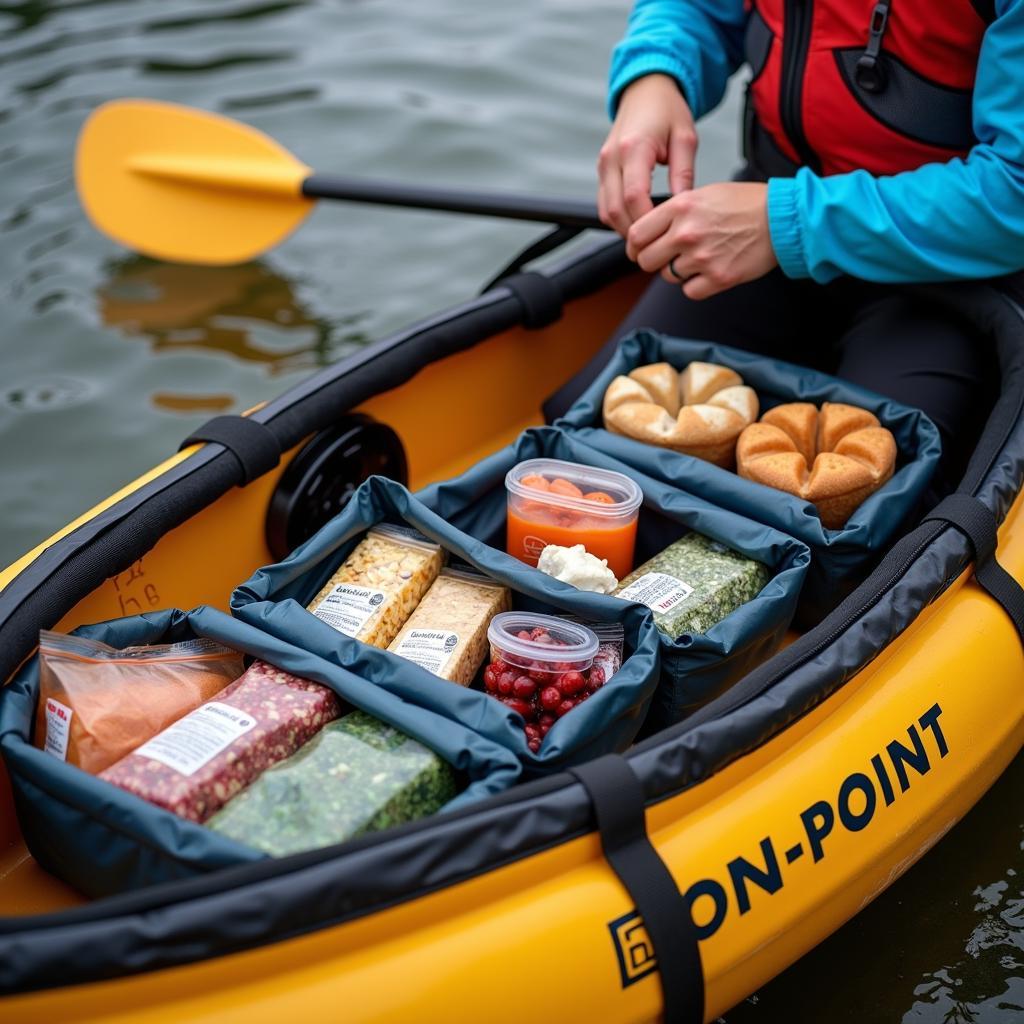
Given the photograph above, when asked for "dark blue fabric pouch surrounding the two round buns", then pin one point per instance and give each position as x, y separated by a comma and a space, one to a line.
840, 559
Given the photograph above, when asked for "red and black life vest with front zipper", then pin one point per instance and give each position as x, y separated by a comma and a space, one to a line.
846, 84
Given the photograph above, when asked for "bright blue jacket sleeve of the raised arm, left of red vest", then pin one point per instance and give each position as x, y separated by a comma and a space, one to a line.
698, 42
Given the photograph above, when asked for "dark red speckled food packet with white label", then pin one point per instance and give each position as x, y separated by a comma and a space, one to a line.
197, 765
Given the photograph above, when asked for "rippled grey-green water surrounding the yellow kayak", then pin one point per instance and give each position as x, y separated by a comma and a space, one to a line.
108, 360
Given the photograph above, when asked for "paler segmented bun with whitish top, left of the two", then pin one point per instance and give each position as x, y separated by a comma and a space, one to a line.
700, 412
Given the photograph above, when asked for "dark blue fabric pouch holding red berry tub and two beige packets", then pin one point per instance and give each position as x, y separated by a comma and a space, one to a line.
276, 600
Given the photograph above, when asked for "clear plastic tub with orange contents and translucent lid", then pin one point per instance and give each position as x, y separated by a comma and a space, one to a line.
566, 503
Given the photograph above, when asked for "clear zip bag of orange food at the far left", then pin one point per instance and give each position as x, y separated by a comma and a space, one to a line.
97, 703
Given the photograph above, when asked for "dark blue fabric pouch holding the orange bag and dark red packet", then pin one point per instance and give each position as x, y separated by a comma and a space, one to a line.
103, 839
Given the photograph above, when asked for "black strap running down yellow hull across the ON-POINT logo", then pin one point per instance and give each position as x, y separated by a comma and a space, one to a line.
618, 798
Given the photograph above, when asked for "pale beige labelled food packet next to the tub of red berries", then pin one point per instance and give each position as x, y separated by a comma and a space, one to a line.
448, 632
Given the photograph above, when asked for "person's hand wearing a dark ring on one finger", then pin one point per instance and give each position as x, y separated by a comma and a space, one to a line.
708, 239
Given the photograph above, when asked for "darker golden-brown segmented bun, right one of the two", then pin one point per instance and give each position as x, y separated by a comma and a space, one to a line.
835, 459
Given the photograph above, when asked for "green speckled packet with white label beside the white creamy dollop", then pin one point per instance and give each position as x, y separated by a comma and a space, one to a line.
694, 584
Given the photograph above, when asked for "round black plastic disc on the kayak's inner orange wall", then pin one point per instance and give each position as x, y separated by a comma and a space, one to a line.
324, 476
